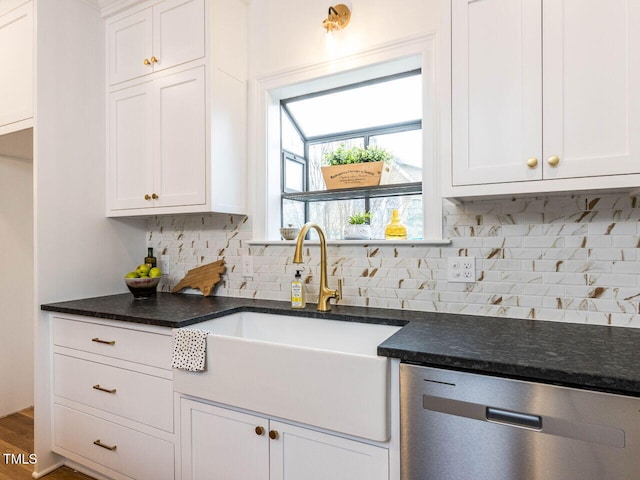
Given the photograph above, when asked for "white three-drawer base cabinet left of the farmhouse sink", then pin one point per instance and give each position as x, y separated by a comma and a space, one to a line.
113, 401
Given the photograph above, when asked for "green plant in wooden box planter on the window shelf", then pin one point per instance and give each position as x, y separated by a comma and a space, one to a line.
347, 167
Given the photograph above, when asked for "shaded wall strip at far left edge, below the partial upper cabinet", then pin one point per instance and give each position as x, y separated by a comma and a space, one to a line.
16, 284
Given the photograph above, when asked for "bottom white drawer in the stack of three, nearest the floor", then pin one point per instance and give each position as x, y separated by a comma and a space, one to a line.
130, 453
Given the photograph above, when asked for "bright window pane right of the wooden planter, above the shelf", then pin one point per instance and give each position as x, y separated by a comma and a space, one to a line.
406, 148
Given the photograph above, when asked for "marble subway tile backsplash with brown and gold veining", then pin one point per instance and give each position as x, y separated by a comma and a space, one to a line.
571, 258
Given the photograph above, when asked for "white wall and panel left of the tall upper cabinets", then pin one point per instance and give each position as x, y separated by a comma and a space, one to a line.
78, 251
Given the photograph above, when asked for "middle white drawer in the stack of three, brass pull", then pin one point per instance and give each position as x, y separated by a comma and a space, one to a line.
136, 396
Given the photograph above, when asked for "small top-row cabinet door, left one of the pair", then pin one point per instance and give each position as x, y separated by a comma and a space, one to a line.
129, 43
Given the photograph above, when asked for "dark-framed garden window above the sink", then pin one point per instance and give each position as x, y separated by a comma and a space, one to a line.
384, 112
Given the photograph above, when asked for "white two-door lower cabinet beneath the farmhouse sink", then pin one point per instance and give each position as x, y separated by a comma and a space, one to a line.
223, 444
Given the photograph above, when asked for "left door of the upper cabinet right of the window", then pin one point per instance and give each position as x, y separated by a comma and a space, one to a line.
497, 90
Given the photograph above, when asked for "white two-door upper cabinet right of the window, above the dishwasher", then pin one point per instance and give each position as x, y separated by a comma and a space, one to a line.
543, 97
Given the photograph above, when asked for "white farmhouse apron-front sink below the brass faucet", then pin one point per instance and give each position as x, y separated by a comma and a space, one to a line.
315, 371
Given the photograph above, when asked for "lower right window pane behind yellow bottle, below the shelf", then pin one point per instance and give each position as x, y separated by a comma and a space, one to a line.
409, 208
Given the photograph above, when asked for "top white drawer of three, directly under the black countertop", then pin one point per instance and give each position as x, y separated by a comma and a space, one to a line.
132, 345
